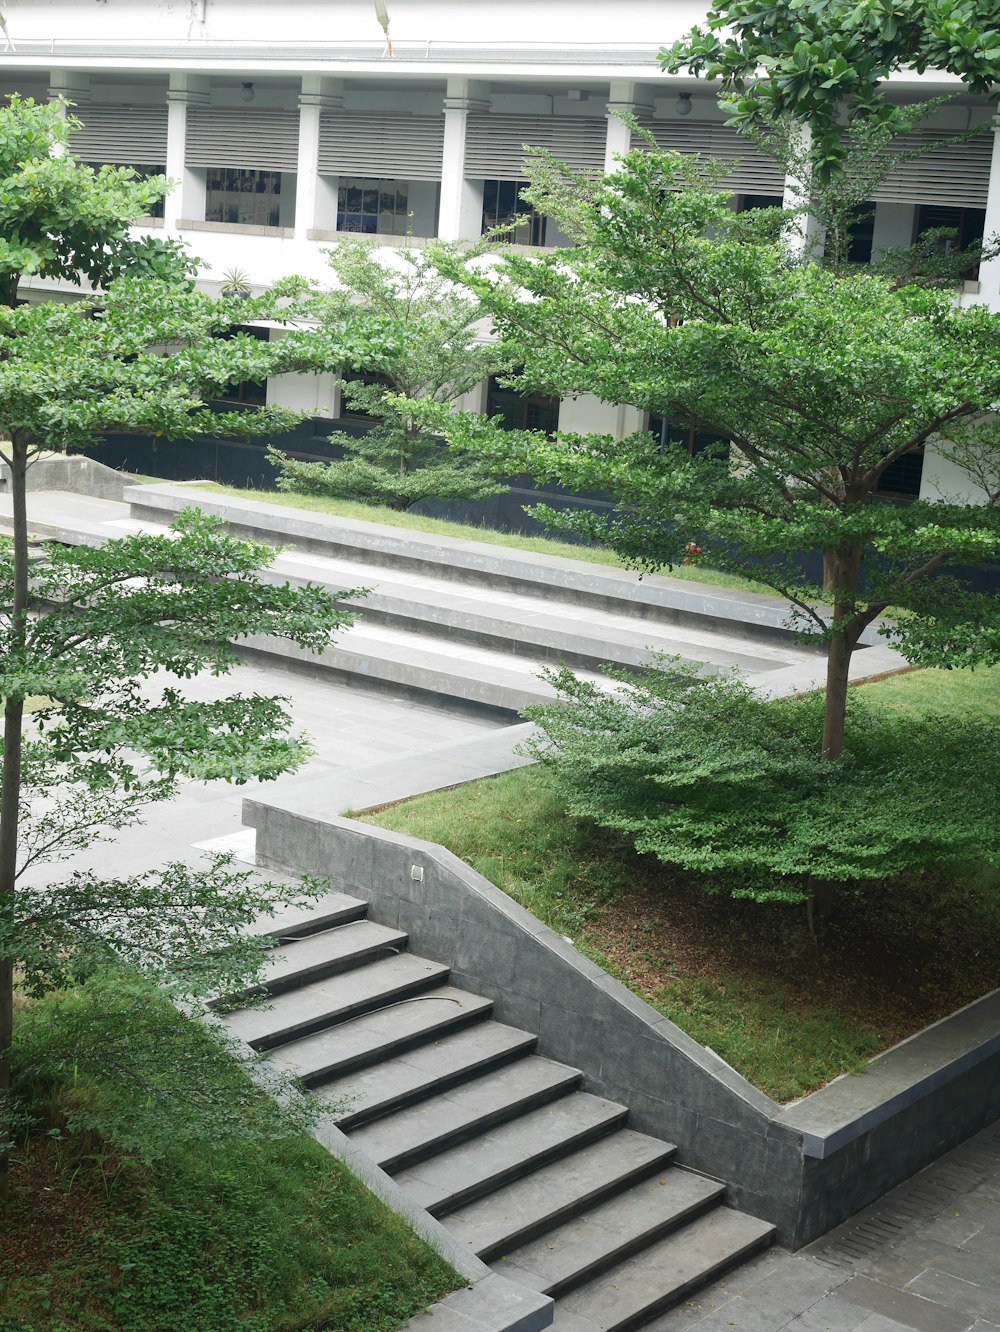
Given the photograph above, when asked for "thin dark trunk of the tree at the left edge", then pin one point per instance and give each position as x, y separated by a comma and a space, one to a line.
10, 800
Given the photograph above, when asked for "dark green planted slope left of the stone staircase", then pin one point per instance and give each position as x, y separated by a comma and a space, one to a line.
183, 1202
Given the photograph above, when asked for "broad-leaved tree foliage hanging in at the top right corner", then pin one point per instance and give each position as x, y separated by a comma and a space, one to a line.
808, 59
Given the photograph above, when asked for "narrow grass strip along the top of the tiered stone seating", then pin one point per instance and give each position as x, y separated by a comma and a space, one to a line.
468, 532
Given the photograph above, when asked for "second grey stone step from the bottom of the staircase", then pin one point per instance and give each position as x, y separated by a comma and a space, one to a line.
588, 1246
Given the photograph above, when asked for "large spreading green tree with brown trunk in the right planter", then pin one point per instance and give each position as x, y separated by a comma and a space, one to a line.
814, 384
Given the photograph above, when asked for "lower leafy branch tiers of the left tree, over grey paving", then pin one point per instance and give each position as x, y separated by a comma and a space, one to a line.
101, 747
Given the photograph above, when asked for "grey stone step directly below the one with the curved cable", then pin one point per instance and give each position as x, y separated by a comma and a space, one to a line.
411, 1077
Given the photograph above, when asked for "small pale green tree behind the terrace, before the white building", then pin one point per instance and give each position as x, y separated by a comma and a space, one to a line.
432, 347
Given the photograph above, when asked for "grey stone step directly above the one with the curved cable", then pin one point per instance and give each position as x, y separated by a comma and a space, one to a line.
298, 1013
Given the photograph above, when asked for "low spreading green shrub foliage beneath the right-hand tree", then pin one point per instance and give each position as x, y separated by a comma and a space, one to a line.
713, 779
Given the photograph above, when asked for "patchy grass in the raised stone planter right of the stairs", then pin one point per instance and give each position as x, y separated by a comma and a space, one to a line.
740, 977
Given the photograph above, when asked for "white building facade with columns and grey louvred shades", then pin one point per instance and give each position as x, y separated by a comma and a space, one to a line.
286, 127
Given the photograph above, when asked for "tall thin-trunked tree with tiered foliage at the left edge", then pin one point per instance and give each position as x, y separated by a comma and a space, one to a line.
79, 631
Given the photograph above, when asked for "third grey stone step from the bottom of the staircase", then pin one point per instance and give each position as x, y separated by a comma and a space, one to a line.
529, 1207
